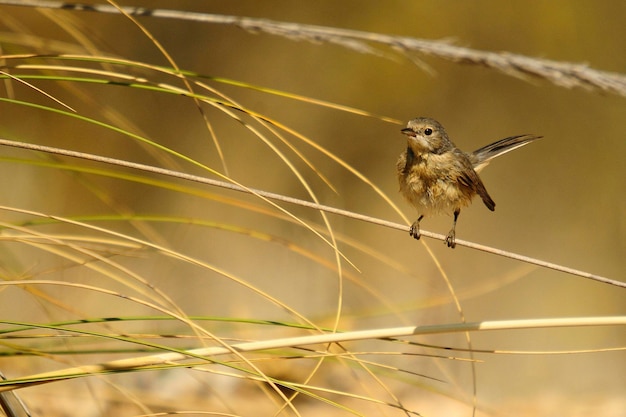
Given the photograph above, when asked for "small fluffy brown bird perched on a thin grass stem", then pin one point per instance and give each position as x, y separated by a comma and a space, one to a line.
435, 176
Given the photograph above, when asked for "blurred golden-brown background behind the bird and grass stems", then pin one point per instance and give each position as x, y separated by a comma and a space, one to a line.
559, 199
